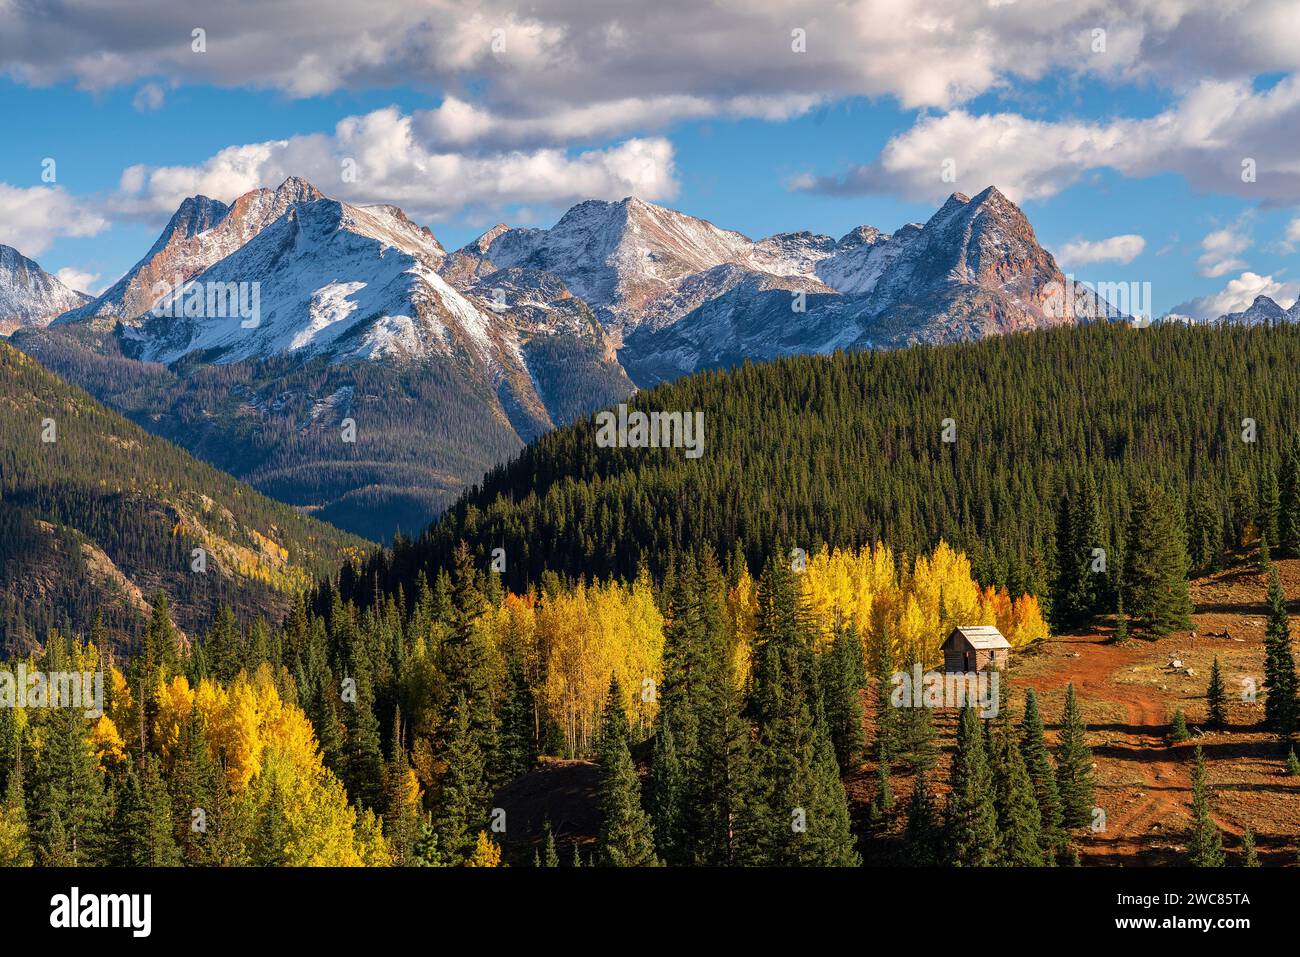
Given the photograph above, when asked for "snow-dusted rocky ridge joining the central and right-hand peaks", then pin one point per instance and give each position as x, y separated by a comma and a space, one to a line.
682, 295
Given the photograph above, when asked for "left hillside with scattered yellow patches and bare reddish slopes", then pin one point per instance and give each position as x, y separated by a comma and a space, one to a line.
98, 516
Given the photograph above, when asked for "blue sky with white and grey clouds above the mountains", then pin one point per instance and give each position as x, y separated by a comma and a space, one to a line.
1126, 159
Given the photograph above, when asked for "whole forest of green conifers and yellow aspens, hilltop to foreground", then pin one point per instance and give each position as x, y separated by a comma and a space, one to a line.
714, 640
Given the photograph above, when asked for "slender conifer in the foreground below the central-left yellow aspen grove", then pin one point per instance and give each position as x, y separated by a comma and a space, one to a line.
627, 837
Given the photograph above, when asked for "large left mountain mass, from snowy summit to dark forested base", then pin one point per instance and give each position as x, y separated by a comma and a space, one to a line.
311, 348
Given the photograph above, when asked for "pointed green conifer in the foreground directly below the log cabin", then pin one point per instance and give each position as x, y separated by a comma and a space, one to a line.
972, 837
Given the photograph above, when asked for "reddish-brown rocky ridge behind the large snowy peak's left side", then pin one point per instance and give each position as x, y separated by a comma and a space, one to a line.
201, 233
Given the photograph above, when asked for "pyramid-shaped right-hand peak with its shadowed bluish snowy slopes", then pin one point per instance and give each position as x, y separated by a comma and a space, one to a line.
973, 270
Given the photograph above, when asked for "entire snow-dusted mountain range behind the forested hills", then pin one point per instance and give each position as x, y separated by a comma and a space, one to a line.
252, 334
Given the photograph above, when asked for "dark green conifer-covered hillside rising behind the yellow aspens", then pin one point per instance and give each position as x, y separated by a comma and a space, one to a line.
851, 449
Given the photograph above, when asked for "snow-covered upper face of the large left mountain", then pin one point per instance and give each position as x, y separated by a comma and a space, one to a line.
358, 283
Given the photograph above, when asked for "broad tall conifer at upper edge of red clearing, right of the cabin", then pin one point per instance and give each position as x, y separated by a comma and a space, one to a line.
1155, 573
